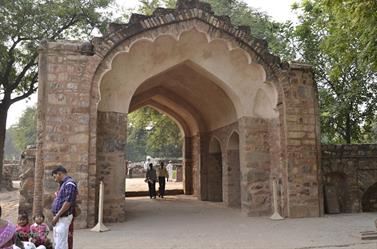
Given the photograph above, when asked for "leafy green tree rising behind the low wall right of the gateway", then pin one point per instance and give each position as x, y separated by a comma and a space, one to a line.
332, 43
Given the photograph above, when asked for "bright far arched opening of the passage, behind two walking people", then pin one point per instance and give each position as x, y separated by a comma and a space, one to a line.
153, 136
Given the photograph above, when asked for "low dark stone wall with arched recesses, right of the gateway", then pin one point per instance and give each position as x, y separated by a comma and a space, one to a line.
350, 178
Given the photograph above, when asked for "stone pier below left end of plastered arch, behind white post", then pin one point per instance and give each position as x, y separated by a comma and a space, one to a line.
111, 139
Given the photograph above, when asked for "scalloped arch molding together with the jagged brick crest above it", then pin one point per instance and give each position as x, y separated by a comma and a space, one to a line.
189, 15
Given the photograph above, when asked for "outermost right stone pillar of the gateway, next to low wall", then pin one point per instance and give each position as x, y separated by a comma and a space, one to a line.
302, 136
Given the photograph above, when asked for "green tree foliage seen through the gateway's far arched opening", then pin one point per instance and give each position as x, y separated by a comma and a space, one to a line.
151, 133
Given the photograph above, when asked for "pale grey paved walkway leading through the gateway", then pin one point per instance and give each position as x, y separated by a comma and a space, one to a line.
182, 222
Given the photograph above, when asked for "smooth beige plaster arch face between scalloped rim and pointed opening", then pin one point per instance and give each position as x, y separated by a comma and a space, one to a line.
144, 59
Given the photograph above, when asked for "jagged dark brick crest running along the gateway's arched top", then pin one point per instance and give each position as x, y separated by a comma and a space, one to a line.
217, 27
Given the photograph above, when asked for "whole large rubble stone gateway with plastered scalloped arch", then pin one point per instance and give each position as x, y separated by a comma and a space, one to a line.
247, 118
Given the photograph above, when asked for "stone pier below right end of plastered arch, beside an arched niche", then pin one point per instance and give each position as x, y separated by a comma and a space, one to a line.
255, 162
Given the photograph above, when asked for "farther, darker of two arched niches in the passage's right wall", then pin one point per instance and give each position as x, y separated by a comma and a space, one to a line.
214, 171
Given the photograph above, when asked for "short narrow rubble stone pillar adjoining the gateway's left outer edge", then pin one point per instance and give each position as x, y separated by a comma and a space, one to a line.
27, 180
